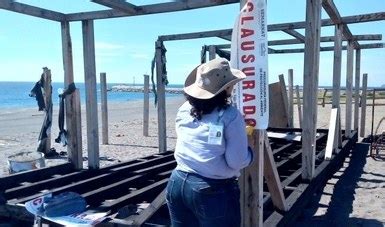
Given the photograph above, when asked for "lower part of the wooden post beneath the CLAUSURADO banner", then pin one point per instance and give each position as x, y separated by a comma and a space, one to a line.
251, 183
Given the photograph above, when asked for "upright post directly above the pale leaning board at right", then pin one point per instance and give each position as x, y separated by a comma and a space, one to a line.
337, 66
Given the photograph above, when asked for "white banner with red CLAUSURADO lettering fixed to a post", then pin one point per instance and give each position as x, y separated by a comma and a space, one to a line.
249, 52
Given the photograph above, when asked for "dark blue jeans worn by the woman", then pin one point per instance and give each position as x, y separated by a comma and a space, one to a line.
195, 201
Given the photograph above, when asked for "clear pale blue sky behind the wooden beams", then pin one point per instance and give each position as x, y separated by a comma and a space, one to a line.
124, 47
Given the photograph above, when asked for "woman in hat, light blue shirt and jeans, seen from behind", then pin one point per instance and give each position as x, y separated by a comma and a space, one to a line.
211, 150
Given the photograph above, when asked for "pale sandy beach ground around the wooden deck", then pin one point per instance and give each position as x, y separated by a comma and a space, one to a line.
356, 192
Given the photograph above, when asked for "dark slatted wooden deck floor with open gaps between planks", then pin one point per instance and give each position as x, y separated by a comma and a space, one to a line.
115, 187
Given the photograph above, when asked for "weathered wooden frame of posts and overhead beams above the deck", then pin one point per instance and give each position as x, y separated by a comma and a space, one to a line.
311, 41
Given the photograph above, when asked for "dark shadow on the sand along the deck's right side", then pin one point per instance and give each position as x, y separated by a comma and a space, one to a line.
341, 201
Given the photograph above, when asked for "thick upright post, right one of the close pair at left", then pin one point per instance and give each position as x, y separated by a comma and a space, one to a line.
91, 99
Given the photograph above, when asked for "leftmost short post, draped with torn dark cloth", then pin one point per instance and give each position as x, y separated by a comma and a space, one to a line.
48, 103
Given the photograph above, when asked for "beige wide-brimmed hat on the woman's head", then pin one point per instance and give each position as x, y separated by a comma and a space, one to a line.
209, 79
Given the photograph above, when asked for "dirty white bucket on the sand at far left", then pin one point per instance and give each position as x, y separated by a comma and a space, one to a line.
25, 161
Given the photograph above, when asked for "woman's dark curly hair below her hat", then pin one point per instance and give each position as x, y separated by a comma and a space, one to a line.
206, 106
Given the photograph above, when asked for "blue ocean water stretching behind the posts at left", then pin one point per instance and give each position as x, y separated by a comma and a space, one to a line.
16, 94
